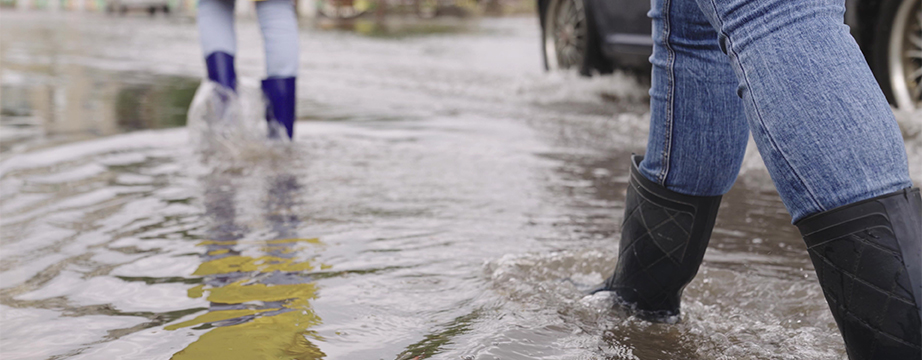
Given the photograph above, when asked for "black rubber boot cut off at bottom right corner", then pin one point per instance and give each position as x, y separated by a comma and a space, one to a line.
868, 258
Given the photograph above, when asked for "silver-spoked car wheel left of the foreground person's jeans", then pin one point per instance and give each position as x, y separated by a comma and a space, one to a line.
571, 39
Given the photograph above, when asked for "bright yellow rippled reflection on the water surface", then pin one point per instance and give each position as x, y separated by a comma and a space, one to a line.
256, 318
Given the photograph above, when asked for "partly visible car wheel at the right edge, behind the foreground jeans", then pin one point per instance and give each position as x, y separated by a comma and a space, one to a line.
898, 52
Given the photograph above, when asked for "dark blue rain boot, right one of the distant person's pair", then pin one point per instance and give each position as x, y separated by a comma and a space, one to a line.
280, 110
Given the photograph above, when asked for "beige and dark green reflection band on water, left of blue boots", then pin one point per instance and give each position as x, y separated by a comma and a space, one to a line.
84, 102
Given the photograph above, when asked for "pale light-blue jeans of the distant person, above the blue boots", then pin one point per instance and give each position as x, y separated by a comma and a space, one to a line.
278, 23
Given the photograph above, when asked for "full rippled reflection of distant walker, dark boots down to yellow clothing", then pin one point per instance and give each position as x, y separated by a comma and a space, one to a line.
258, 290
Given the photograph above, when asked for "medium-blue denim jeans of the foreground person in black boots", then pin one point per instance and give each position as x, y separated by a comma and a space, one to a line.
789, 71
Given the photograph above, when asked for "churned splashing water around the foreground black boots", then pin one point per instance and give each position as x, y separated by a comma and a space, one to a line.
726, 314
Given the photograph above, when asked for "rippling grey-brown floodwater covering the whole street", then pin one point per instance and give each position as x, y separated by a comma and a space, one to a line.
444, 199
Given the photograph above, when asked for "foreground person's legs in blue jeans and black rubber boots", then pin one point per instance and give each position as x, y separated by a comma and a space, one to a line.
789, 72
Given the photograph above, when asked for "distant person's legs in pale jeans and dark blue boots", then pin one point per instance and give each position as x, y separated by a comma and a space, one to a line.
278, 22
